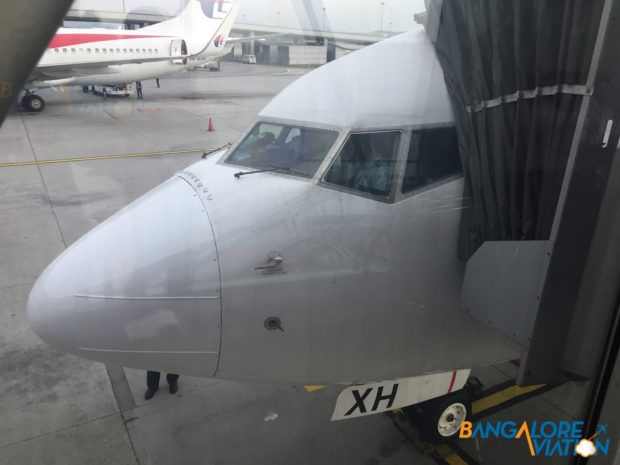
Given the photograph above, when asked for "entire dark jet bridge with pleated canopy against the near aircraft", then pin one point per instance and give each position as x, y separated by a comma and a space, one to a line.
534, 90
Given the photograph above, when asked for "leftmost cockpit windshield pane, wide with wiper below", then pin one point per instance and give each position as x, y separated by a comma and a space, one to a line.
295, 148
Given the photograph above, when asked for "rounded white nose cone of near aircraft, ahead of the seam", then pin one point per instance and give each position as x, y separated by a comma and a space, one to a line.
140, 290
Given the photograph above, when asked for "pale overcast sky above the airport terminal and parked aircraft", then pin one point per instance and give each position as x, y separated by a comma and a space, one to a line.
336, 15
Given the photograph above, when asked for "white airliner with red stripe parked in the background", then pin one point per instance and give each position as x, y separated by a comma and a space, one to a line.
108, 57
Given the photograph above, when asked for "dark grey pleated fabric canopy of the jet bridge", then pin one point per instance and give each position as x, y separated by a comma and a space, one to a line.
517, 74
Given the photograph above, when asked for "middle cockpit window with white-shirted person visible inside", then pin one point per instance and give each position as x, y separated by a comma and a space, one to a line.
366, 163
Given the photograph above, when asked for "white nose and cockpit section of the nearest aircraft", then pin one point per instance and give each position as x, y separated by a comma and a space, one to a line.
321, 248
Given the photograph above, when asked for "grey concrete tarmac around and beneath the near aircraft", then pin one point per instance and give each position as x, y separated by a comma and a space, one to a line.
59, 409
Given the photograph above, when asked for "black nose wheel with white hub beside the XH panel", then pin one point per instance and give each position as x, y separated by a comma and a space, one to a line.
439, 420
